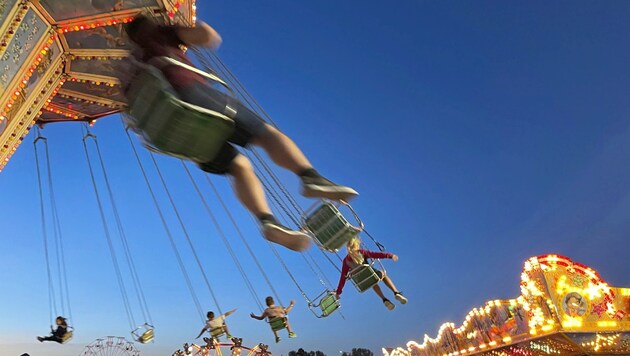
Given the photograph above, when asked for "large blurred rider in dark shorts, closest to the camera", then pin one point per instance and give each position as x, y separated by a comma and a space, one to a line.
156, 41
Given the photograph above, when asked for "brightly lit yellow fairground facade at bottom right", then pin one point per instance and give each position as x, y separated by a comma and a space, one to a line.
565, 308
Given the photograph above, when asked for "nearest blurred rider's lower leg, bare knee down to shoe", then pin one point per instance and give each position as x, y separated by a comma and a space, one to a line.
250, 192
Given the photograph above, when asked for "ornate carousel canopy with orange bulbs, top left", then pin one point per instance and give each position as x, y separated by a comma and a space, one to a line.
60, 60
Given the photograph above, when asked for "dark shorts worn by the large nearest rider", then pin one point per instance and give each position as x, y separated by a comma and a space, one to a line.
248, 124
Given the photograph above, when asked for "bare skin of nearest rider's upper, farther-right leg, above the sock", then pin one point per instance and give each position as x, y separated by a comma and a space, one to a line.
282, 150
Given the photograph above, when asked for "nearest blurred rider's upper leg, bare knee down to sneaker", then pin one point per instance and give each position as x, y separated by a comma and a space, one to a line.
285, 153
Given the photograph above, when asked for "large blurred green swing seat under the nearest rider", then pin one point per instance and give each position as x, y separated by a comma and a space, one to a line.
171, 126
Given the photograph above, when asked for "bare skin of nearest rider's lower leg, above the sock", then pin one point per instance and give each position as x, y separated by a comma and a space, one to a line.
248, 187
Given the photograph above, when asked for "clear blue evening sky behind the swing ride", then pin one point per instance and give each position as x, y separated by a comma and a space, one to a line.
478, 133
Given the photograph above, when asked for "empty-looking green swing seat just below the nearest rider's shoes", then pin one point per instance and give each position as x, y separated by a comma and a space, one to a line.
329, 227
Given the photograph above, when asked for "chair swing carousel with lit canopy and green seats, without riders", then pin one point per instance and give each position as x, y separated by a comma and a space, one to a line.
77, 53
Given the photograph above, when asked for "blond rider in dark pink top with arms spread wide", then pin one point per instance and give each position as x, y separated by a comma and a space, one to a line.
357, 257
